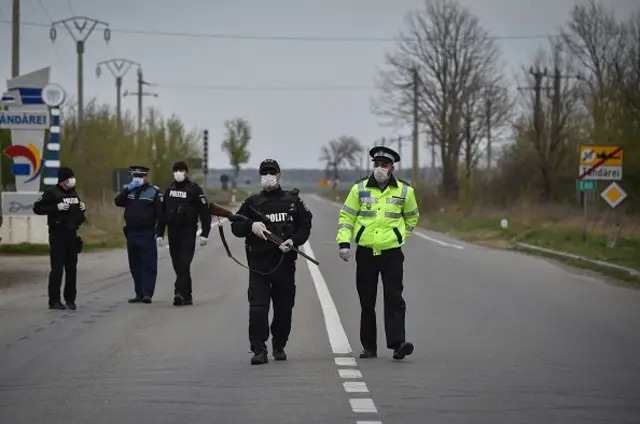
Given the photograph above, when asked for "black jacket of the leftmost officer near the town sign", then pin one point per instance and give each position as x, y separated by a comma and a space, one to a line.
71, 219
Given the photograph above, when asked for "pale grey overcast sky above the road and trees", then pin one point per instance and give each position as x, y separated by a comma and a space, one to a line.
290, 126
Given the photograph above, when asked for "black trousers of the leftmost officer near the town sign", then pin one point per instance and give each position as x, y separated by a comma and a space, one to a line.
63, 254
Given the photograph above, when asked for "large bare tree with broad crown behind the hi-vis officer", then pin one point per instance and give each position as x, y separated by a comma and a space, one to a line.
453, 54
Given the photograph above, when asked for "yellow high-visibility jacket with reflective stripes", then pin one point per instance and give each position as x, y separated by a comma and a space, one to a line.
378, 219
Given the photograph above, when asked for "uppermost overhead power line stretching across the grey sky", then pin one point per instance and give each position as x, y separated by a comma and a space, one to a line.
275, 38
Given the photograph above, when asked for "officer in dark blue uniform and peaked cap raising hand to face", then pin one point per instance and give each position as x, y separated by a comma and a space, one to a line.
143, 210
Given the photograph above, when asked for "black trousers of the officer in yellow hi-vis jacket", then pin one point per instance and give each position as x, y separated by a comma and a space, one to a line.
390, 265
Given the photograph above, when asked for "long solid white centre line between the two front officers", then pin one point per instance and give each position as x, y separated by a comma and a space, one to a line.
335, 330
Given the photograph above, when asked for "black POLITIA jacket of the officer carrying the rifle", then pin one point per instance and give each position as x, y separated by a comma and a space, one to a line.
283, 213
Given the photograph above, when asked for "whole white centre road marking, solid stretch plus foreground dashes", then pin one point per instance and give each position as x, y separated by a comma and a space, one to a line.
340, 343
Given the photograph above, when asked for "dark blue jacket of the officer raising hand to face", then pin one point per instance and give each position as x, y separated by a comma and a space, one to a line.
143, 207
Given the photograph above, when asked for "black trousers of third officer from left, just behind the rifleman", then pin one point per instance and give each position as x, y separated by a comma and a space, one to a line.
182, 247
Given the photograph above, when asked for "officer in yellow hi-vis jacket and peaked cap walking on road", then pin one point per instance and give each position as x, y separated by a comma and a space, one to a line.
380, 213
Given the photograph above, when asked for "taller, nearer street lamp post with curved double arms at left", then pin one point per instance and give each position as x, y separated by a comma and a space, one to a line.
80, 28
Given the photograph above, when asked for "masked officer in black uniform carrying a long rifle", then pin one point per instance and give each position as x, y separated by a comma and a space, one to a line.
272, 274
